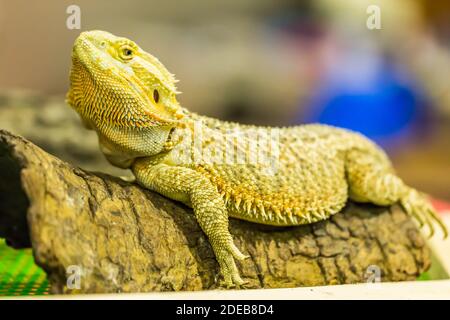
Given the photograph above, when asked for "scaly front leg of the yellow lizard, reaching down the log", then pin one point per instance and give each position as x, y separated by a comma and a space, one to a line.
190, 187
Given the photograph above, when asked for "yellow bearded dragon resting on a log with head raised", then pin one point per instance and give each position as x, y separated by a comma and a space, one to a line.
309, 172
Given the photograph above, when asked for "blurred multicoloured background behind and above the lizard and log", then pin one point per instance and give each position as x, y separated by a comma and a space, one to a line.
254, 61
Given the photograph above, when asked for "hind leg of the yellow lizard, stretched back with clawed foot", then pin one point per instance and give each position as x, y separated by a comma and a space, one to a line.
371, 180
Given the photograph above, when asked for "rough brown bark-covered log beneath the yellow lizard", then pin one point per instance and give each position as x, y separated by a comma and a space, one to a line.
127, 239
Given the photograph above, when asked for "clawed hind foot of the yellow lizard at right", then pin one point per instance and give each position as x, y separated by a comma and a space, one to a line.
418, 206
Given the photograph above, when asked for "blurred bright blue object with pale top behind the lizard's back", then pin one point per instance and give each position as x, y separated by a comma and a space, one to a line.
367, 95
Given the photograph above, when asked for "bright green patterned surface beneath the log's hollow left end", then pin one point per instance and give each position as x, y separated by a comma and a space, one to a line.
19, 275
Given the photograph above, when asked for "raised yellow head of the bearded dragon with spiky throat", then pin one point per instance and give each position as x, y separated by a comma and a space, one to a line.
113, 82
